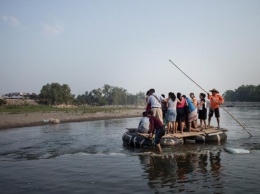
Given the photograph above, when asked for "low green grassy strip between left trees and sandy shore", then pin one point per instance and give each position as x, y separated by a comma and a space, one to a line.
12, 109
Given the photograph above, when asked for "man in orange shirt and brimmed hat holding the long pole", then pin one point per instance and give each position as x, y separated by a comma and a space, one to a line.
215, 100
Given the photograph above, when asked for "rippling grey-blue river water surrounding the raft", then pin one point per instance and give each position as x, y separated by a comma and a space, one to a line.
89, 157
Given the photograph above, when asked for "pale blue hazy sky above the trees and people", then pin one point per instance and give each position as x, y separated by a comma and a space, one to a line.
128, 43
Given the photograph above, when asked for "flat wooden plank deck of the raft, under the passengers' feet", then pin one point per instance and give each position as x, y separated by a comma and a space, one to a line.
189, 134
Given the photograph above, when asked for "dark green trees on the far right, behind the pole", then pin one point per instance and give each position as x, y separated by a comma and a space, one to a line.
248, 93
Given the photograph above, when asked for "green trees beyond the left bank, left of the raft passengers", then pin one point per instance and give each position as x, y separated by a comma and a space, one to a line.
55, 94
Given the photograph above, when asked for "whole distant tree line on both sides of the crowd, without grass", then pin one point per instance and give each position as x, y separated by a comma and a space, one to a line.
55, 94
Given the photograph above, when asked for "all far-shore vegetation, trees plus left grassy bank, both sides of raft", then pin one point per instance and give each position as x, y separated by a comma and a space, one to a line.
57, 97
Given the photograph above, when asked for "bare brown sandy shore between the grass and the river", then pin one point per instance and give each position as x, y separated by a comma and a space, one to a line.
38, 118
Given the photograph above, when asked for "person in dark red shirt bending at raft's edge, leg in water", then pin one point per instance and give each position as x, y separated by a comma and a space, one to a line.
157, 127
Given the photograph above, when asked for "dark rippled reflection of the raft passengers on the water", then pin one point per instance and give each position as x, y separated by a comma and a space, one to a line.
184, 172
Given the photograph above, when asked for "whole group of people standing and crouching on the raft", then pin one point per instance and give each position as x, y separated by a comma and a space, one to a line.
178, 112
